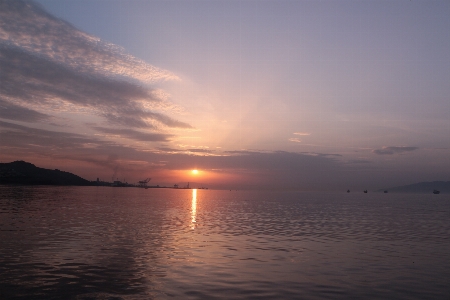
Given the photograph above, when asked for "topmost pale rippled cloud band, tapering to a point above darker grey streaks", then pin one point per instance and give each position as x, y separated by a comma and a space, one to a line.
27, 25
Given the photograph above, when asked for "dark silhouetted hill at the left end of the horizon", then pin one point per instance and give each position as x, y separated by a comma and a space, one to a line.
21, 172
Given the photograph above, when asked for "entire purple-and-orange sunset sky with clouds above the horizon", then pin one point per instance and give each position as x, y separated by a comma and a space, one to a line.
254, 94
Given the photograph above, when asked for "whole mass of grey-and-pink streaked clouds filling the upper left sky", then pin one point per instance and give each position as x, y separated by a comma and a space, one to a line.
48, 64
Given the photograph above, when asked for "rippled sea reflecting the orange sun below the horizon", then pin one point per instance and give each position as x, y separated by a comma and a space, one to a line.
134, 243
